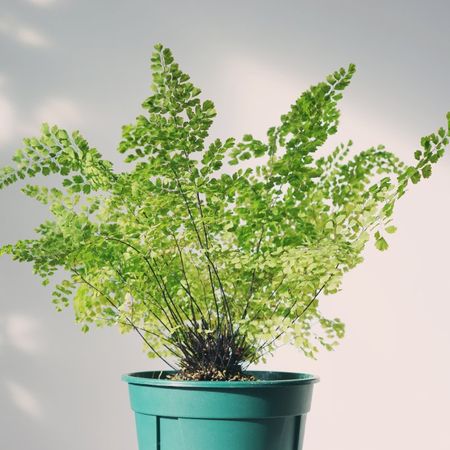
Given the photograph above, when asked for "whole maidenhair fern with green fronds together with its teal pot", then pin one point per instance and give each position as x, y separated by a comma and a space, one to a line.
213, 252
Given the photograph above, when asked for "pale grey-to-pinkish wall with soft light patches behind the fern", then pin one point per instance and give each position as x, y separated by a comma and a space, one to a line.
84, 64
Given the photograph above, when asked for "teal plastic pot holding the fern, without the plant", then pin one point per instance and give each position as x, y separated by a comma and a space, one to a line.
267, 414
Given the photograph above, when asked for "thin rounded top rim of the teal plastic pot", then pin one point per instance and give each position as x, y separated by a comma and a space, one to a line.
265, 379
